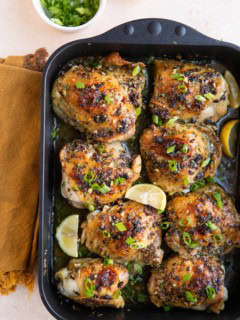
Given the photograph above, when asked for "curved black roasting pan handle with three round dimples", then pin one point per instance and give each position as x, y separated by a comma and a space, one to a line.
155, 31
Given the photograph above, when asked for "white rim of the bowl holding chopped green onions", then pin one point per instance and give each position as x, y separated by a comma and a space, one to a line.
38, 7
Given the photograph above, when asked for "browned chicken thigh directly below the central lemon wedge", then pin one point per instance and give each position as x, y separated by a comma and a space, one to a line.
125, 232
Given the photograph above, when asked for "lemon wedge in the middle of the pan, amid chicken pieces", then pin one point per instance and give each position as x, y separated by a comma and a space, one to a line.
148, 194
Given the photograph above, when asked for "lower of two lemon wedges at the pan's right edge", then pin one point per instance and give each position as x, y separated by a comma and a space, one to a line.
228, 137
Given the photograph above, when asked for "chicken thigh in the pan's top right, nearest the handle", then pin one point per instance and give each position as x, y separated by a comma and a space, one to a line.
188, 90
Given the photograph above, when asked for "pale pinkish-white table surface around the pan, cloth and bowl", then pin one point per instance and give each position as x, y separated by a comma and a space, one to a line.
22, 31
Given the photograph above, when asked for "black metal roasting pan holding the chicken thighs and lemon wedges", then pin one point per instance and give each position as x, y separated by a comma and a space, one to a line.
157, 37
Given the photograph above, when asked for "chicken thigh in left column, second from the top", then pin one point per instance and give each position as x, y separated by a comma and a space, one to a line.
97, 174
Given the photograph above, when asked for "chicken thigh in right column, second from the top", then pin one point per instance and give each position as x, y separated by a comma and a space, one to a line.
179, 154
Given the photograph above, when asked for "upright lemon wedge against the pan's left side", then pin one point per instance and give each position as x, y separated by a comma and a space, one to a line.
67, 235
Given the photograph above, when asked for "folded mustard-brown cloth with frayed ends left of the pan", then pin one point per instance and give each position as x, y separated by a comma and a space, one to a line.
20, 79
